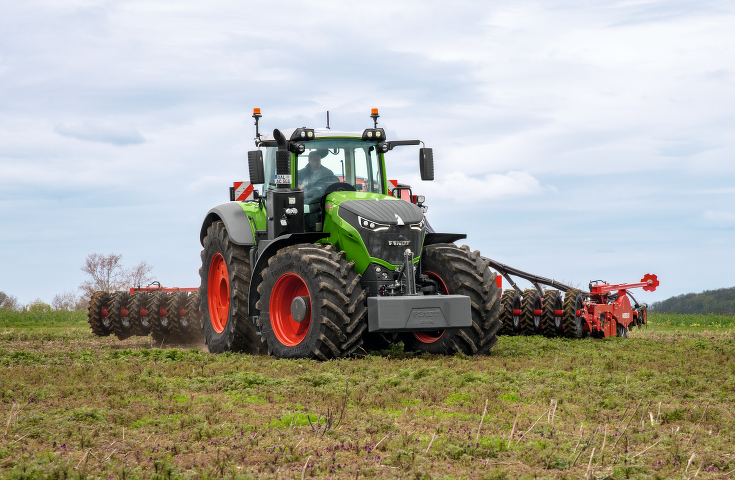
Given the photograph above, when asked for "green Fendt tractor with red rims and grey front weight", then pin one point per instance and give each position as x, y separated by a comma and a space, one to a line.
326, 260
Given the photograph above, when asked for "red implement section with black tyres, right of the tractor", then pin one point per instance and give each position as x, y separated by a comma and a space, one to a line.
604, 311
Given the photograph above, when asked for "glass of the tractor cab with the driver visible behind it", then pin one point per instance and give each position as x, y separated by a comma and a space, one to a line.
331, 161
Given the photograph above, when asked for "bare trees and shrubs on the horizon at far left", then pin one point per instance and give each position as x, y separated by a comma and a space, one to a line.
103, 273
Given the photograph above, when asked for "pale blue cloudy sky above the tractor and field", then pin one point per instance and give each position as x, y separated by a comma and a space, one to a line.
575, 140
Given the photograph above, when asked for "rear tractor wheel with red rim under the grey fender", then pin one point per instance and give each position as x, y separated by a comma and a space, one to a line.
223, 295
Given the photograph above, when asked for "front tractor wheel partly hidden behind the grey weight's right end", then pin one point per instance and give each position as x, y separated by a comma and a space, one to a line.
461, 272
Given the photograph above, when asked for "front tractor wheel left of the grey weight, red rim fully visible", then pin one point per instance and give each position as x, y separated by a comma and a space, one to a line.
334, 316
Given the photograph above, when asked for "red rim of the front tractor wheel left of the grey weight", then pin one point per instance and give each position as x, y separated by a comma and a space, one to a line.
287, 330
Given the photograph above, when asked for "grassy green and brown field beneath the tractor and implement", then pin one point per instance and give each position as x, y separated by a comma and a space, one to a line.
659, 404
